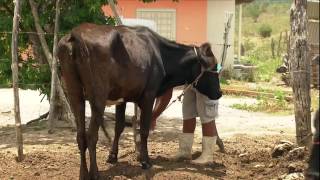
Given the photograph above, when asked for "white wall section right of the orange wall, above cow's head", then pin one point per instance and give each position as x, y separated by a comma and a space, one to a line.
216, 18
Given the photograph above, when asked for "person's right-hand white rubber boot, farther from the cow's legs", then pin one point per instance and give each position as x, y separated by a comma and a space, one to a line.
207, 151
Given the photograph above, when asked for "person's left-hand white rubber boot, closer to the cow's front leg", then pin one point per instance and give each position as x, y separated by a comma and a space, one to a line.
185, 147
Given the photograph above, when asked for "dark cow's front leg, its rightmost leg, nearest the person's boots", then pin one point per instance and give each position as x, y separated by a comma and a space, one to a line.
146, 113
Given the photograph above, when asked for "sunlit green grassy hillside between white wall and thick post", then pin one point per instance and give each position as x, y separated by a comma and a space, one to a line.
257, 49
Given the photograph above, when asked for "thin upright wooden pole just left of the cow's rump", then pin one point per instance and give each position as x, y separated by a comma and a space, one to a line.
54, 76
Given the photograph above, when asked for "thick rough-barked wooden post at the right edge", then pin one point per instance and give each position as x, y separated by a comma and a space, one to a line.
300, 71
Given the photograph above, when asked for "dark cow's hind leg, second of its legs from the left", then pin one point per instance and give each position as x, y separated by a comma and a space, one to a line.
97, 109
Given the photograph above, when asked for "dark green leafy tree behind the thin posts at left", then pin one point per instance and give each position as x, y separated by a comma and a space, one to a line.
38, 16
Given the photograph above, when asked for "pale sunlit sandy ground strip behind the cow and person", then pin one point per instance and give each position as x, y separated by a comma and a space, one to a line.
230, 121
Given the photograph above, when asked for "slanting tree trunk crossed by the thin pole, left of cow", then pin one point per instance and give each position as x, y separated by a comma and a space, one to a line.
66, 113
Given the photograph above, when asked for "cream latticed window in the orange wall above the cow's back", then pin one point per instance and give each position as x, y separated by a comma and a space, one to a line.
165, 20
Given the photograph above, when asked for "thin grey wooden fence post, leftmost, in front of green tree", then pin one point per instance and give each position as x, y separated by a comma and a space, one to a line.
14, 67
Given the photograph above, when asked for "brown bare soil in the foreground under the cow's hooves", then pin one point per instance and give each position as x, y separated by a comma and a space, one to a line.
56, 156
